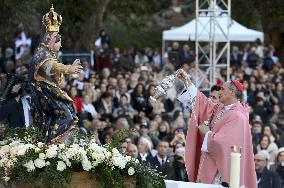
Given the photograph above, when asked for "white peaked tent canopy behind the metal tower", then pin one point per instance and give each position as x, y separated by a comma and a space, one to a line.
237, 32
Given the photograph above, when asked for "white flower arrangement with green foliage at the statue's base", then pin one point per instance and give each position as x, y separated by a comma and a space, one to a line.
23, 160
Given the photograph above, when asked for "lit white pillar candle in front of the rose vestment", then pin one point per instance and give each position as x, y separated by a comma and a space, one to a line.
235, 168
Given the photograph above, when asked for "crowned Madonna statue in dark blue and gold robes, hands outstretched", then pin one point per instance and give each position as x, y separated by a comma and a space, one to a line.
51, 109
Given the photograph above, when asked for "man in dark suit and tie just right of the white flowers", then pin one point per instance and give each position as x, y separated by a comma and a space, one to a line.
162, 162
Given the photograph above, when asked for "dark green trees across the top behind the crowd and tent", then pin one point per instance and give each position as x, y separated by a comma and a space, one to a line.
126, 20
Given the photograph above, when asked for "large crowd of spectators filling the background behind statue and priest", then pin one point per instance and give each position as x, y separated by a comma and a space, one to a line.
114, 94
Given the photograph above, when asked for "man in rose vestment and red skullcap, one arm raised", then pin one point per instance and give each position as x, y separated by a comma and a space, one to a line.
213, 129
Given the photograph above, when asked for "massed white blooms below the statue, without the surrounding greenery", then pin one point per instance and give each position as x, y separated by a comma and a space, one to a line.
65, 154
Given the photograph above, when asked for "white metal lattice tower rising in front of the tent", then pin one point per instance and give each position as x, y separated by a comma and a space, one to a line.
212, 52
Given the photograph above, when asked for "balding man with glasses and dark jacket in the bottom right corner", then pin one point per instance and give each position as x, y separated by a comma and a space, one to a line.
265, 177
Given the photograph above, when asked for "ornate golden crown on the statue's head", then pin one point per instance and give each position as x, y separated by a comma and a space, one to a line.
52, 20
